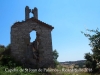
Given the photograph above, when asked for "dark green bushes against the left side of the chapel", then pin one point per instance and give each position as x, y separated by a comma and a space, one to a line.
7, 60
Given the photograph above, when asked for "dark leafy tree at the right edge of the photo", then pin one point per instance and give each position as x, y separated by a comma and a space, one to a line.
93, 59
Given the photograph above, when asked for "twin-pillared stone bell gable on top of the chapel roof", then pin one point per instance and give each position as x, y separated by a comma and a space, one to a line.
28, 11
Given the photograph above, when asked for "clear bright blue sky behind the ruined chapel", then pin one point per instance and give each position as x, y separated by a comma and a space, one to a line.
68, 17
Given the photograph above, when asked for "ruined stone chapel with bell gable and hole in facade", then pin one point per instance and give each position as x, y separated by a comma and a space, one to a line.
36, 53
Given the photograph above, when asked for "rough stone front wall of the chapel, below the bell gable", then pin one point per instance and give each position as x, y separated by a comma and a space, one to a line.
20, 37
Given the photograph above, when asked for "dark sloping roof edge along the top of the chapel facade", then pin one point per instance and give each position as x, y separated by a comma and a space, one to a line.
34, 20
